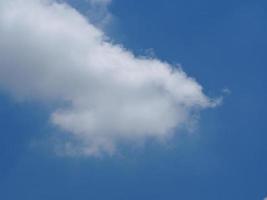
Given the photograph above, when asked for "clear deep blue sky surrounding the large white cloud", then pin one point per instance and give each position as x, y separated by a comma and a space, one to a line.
222, 44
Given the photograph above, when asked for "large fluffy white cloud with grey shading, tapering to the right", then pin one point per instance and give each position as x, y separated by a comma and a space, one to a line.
50, 52
